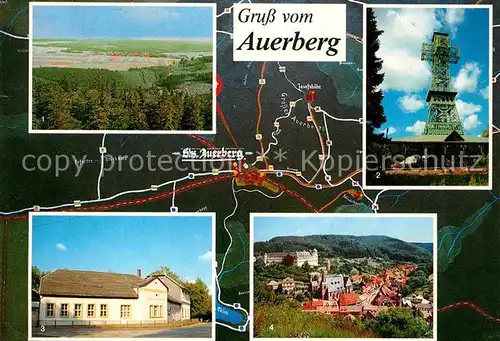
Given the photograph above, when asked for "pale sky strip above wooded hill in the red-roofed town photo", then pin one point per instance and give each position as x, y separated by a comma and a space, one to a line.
407, 229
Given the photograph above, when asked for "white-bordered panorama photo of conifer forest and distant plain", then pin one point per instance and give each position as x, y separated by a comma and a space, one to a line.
122, 68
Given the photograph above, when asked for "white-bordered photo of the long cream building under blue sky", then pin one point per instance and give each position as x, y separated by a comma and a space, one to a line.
121, 275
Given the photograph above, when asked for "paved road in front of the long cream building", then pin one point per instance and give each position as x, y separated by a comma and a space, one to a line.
201, 330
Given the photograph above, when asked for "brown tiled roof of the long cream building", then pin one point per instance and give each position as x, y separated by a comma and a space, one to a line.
77, 283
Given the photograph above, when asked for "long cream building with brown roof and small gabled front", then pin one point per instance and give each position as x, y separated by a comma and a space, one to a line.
86, 297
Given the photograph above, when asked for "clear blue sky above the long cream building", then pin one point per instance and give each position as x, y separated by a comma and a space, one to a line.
124, 244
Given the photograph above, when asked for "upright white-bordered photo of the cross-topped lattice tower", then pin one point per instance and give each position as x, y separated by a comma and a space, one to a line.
427, 103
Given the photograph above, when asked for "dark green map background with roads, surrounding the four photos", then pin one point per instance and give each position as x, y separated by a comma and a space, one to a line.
470, 276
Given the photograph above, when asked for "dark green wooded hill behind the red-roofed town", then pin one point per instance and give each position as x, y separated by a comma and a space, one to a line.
330, 246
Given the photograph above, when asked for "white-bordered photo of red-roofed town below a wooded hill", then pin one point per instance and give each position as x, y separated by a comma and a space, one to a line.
344, 276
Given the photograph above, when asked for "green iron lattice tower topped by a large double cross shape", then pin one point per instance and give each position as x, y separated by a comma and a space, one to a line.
442, 115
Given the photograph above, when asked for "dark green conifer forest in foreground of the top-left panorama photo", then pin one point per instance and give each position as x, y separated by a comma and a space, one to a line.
138, 99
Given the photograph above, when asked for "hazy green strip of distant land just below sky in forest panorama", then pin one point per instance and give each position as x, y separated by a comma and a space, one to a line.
160, 47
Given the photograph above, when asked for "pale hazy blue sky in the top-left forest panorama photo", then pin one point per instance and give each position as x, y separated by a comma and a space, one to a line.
121, 22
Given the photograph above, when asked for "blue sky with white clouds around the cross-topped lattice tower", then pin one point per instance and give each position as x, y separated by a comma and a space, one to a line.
407, 78
